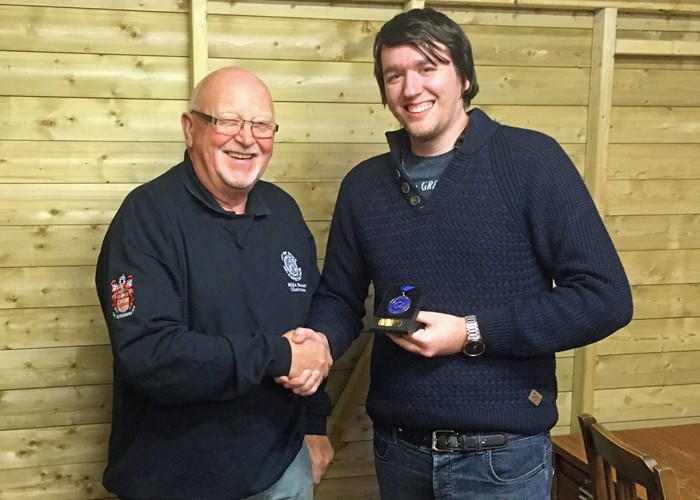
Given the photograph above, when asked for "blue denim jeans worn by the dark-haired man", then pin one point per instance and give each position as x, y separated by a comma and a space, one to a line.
522, 470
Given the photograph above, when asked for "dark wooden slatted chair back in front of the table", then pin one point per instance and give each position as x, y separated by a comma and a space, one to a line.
605, 452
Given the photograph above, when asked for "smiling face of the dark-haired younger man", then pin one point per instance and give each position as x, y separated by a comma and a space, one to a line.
425, 97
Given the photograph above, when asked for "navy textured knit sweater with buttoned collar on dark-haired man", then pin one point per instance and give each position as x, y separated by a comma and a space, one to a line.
509, 216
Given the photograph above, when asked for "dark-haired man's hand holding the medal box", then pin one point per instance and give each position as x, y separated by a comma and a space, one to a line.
443, 334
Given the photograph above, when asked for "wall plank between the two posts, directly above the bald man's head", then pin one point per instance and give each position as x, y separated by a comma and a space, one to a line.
340, 40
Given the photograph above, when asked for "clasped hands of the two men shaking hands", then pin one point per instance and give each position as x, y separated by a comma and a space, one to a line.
311, 360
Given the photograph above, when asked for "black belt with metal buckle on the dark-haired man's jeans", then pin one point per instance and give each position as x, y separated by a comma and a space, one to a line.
452, 441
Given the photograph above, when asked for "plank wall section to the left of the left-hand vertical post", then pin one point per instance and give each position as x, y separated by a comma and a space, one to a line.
91, 101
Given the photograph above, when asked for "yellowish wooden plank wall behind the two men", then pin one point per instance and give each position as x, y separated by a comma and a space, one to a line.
92, 92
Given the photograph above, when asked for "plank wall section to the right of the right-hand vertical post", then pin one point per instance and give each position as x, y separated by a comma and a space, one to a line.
648, 374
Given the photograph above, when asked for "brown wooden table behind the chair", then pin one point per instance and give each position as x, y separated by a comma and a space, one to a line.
677, 447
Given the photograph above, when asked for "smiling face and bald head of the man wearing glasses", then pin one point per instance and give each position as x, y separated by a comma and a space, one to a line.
229, 166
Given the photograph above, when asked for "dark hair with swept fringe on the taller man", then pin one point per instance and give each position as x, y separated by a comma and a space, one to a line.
424, 29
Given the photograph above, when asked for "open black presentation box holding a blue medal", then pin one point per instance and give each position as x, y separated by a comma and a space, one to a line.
398, 310
